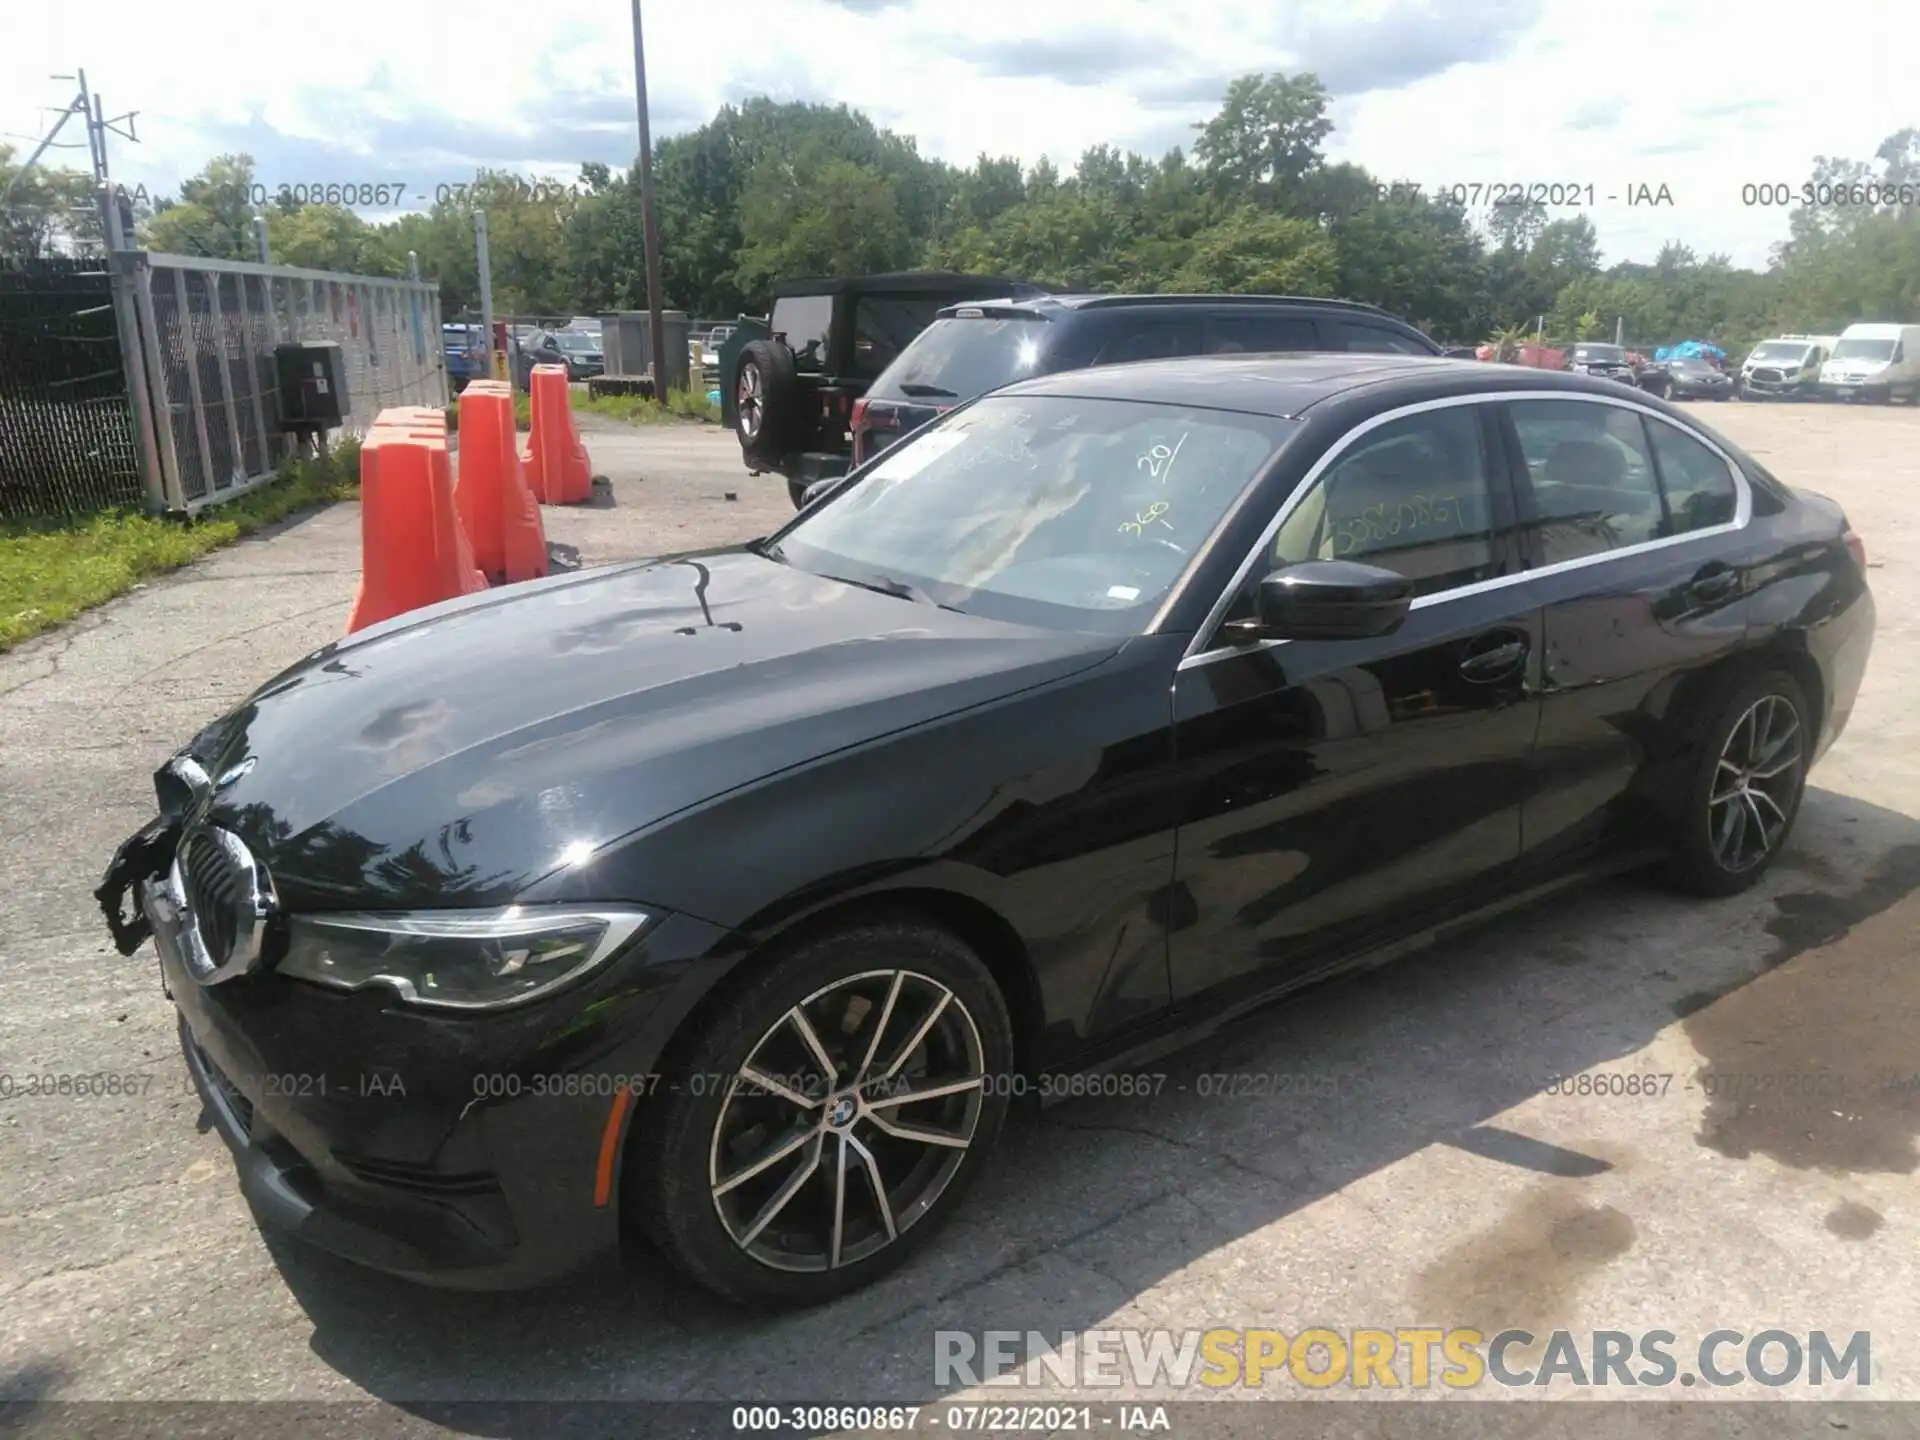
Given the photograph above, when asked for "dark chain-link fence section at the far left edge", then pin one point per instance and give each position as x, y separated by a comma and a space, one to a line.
66, 429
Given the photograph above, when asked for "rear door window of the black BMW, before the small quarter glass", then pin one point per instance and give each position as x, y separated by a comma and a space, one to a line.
1591, 475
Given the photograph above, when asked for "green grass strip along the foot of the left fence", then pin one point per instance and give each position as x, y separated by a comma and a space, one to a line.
55, 569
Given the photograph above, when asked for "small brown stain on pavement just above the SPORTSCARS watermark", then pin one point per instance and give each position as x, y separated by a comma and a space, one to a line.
1527, 1270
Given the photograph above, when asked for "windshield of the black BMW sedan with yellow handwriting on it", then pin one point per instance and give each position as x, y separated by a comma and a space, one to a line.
1040, 510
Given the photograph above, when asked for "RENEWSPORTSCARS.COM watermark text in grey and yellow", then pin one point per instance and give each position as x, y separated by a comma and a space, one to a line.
1403, 1358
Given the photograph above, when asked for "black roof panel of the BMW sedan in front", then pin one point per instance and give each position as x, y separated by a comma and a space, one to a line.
1289, 385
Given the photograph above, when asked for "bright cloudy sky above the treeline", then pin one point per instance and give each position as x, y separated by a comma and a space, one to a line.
1700, 99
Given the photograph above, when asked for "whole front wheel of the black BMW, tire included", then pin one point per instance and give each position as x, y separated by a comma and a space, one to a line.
828, 1118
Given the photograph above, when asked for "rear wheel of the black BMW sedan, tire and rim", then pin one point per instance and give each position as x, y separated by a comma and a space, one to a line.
1746, 788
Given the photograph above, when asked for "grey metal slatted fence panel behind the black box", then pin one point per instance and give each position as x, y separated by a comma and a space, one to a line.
210, 329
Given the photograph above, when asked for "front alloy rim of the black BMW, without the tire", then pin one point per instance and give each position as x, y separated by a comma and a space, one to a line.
848, 1120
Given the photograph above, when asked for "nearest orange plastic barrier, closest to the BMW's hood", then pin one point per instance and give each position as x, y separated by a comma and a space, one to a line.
414, 550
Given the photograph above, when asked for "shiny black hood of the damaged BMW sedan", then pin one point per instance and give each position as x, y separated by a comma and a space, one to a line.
462, 754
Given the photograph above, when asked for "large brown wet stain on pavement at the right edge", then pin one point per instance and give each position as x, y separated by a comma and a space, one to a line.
1817, 1061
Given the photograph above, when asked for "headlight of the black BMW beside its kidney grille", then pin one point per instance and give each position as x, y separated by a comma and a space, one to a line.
458, 959
